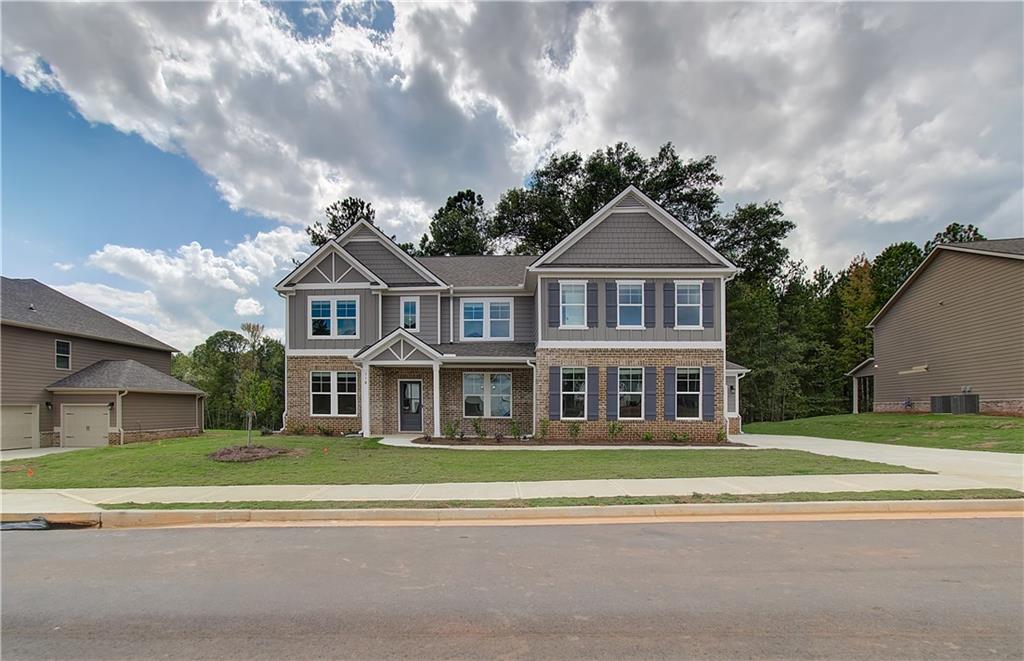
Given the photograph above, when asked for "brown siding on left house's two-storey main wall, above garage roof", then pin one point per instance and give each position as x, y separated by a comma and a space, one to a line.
28, 367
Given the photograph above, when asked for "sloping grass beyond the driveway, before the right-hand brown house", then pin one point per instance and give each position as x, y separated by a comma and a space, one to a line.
994, 433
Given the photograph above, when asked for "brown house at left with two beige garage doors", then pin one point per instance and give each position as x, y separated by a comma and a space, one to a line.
71, 376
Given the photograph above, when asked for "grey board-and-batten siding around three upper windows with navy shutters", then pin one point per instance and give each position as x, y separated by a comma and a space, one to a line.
604, 333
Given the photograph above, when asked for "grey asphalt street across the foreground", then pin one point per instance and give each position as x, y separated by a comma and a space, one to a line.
848, 590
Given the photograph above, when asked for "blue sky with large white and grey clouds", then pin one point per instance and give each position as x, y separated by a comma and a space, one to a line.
160, 161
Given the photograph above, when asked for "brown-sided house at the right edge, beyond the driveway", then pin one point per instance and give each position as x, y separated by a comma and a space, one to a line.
957, 326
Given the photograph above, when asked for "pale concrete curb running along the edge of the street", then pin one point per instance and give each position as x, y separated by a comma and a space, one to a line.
158, 518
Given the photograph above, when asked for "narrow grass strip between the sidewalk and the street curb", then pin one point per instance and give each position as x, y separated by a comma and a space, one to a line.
796, 497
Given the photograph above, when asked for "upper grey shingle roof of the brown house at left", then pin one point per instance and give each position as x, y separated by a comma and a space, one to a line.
29, 303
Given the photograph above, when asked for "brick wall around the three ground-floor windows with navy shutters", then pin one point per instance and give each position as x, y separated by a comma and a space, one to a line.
703, 431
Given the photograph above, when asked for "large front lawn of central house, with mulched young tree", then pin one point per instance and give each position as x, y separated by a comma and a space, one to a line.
354, 461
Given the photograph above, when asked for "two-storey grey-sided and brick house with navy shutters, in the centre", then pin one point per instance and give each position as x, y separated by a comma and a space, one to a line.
623, 321
